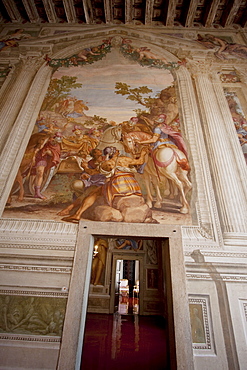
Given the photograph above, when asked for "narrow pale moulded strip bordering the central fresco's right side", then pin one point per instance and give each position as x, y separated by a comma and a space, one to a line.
208, 229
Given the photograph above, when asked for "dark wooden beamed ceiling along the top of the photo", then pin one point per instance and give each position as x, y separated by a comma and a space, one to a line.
169, 13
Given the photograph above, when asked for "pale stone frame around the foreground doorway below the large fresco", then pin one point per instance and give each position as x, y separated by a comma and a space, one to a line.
74, 324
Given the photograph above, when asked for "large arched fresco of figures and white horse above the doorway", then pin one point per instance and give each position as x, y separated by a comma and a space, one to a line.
107, 144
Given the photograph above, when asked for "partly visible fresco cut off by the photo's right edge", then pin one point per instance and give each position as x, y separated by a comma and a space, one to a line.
239, 120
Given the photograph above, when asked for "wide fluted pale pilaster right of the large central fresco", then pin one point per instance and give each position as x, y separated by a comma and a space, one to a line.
221, 143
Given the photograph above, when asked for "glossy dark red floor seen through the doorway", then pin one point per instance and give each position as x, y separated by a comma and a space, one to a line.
124, 342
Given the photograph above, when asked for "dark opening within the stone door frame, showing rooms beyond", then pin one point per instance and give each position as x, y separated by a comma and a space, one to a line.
134, 330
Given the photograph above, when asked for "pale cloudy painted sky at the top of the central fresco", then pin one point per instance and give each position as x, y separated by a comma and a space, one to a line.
98, 85
